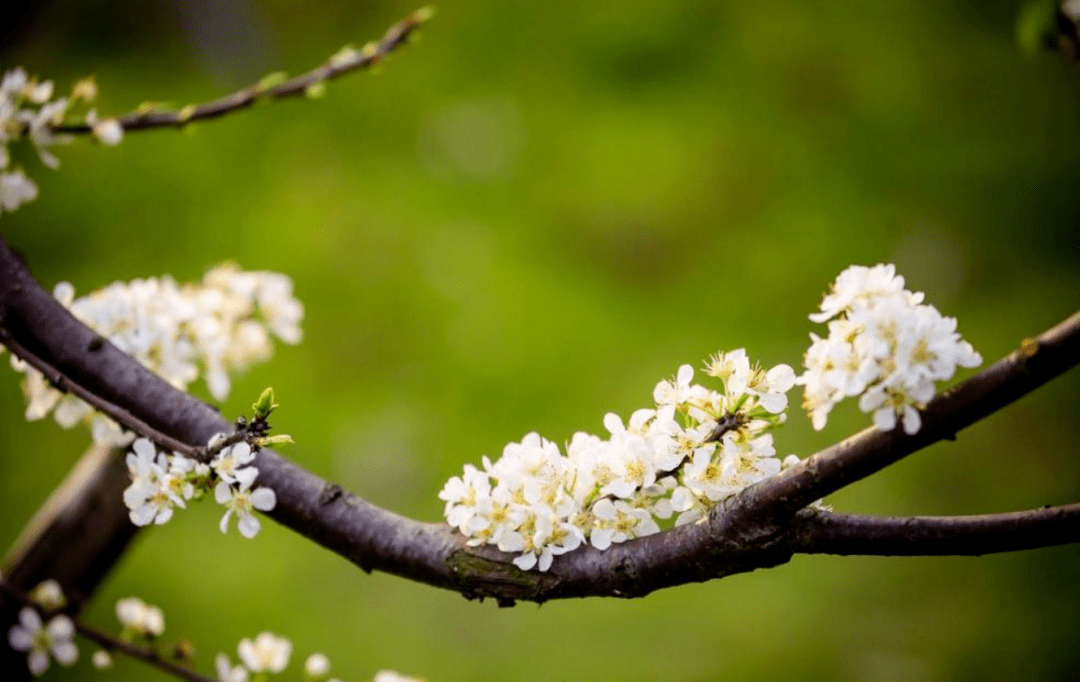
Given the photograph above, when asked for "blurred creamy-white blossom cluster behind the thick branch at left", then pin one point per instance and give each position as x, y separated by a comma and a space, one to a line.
220, 326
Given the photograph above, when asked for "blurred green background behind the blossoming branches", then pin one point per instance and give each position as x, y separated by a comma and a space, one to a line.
524, 221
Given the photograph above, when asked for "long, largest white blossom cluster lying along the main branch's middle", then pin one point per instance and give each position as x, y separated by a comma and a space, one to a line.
697, 448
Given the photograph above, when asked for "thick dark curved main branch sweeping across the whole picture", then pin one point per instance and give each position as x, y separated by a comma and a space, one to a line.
749, 531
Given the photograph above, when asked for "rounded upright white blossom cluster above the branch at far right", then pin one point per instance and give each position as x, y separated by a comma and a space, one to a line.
884, 345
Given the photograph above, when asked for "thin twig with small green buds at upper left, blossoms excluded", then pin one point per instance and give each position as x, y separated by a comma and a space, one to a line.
342, 63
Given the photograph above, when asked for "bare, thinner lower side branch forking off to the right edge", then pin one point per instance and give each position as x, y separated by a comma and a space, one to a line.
826, 533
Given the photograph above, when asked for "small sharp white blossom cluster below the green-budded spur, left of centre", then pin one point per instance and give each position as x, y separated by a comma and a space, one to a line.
163, 483
